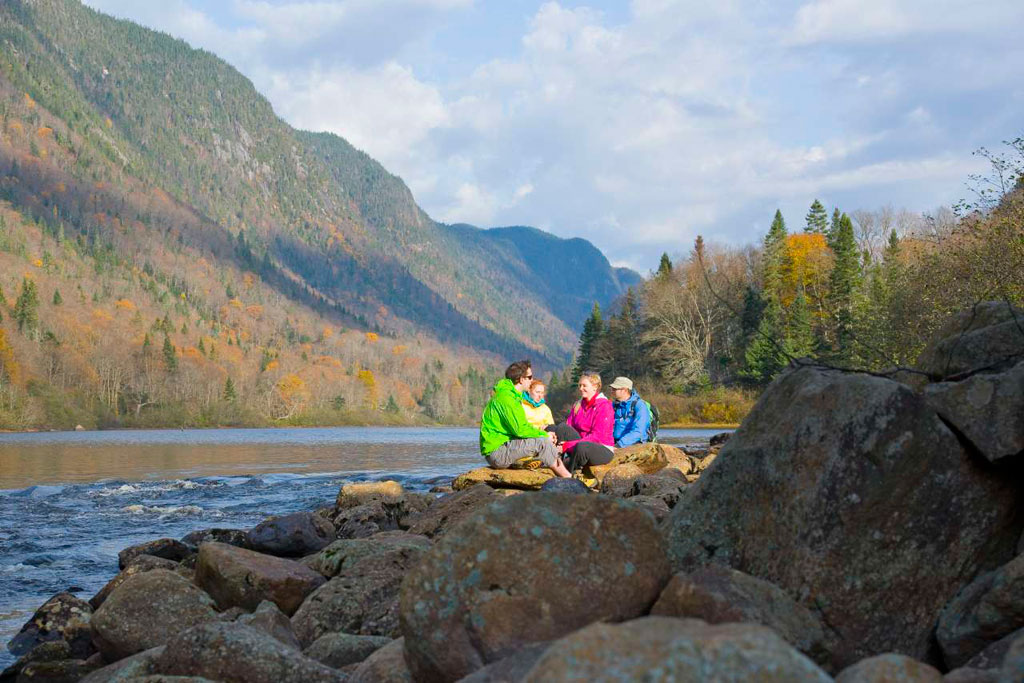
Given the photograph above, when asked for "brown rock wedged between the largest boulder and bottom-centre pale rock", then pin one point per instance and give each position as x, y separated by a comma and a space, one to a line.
719, 595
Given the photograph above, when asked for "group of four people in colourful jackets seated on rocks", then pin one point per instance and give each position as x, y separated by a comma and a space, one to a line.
517, 423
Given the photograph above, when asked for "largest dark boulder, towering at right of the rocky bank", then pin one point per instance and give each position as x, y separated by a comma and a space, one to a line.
858, 501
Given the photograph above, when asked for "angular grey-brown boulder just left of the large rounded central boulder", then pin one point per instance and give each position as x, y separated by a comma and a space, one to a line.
363, 595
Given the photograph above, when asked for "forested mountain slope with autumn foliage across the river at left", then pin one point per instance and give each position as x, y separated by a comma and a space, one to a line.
137, 169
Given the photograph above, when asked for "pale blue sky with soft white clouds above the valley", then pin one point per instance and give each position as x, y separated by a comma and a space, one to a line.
636, 125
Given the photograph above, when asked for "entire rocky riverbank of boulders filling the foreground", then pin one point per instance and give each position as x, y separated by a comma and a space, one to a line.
857, 527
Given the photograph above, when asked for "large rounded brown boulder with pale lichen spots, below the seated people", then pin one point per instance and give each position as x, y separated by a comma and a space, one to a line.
528, 569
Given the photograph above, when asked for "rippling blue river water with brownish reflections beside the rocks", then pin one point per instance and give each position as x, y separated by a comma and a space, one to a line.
71, 501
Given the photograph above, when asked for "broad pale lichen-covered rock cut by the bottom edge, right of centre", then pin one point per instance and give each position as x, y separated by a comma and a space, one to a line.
660, 649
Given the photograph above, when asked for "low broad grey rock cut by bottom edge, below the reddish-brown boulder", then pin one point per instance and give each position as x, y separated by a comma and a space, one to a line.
239, 654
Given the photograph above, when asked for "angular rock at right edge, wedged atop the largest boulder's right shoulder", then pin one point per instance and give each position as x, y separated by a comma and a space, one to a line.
987, 409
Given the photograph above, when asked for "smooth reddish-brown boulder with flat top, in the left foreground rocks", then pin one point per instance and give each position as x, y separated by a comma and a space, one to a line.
239, 578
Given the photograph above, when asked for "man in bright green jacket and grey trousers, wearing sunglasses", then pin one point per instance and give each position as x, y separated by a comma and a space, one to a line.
505, 435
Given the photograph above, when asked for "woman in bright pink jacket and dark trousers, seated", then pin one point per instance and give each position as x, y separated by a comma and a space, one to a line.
593, 418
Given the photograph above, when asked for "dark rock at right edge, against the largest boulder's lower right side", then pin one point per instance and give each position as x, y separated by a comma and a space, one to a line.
988, 610
